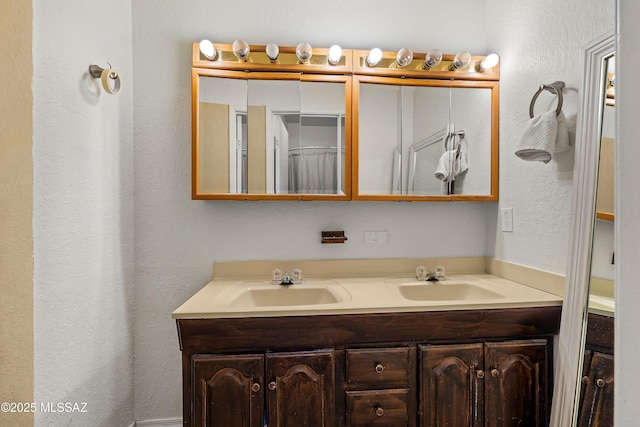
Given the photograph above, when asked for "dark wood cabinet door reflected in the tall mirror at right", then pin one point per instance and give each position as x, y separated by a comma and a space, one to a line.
597, 402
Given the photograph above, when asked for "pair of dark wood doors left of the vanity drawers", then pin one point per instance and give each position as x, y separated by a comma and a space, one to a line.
230, 390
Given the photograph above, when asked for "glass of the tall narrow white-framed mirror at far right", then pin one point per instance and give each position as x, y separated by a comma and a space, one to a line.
596, 394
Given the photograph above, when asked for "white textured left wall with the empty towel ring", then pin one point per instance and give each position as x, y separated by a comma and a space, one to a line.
83, 213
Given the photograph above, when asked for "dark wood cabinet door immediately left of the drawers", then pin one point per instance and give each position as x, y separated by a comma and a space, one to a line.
301, 389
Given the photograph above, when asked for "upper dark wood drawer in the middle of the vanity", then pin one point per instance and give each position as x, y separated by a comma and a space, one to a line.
379, 367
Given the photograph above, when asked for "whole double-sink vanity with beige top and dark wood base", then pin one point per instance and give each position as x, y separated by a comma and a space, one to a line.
363, 342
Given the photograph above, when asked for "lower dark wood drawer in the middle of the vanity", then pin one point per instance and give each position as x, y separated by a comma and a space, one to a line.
378, 407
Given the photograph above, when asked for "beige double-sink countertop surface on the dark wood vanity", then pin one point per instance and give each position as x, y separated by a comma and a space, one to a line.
226, 297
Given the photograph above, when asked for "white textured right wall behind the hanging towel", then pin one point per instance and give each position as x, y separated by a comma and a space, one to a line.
539, 41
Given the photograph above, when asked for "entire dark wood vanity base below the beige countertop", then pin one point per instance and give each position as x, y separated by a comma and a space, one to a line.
386, 369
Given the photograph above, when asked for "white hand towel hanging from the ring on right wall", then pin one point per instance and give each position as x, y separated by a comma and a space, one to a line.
539, 140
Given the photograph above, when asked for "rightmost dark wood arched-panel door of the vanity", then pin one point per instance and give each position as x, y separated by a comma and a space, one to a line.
516, 383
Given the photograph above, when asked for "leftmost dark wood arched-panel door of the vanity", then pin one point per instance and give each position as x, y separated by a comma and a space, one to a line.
228, 391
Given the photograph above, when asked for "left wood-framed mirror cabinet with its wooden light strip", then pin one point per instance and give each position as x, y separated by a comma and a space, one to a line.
266, 130
